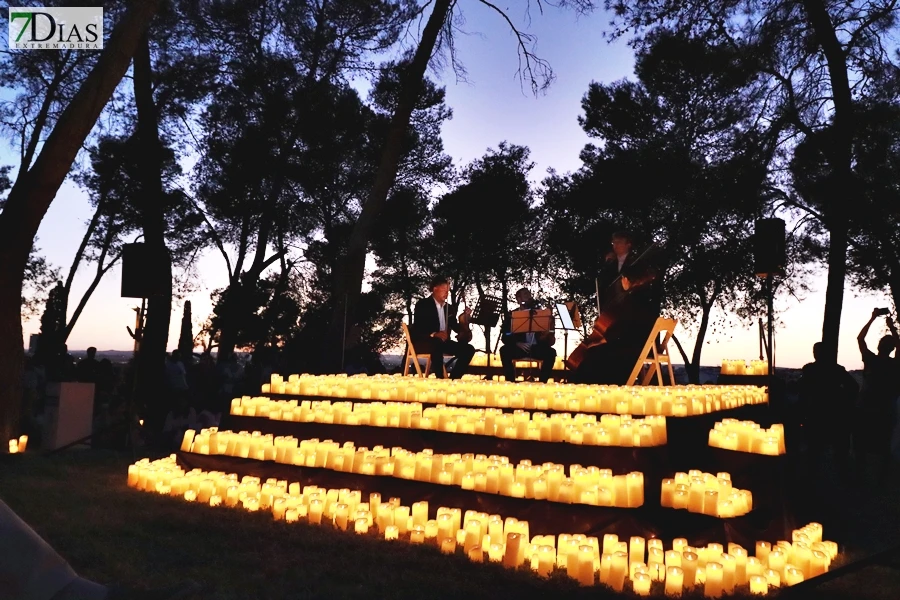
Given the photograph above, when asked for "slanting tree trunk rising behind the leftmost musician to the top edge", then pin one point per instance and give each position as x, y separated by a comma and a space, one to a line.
349, 277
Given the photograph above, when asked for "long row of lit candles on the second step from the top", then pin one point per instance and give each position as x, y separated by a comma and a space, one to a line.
581, 429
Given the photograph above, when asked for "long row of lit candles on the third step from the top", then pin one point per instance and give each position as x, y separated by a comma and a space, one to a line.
493, 475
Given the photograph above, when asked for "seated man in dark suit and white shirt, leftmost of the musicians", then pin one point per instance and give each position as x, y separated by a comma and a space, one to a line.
433, 321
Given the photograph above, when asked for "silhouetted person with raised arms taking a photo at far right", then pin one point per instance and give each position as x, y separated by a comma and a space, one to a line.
878, 400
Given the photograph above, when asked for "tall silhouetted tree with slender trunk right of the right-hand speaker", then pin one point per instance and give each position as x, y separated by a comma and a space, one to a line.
813, 61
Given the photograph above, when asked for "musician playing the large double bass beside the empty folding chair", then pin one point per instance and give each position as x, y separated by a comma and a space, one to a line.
629, 302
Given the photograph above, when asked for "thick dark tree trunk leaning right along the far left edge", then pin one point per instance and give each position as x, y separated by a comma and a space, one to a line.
33, 193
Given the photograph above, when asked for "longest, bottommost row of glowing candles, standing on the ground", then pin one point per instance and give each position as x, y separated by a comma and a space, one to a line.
717, 570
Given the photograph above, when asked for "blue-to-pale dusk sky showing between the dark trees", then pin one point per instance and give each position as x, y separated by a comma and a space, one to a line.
490, 107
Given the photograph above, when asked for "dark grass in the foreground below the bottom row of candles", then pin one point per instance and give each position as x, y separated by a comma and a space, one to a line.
79, 502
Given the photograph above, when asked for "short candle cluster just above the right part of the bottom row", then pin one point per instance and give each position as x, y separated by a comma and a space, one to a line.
706, 494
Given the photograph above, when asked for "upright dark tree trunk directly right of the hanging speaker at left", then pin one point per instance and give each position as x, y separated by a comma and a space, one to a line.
152, 356
